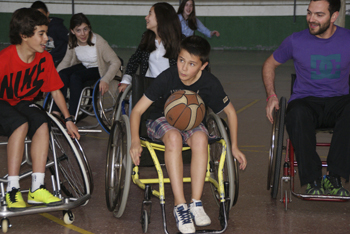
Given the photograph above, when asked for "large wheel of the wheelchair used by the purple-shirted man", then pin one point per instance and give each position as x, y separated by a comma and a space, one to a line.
276, 149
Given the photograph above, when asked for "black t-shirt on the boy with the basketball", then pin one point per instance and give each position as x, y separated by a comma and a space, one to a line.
208, 87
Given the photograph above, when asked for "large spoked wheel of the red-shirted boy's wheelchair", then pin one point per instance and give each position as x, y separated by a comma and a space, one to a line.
74, 172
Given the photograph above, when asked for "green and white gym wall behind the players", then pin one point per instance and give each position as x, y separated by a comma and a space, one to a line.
243, 25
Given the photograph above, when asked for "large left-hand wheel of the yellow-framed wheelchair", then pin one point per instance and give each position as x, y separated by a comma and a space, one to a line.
119, 166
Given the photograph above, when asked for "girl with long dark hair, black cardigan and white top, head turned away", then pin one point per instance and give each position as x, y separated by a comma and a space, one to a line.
159, 45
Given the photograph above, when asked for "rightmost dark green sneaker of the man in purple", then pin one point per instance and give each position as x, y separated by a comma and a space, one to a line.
333, 186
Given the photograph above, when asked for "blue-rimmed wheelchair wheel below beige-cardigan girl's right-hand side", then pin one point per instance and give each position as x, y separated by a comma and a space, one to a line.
104, 104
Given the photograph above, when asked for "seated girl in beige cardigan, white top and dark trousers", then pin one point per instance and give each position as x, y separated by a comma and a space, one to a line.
88, 58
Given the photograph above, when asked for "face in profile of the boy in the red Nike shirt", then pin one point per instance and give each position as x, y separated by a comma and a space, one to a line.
37, 42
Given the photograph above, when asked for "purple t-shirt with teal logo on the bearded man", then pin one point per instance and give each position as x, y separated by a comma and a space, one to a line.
321, 65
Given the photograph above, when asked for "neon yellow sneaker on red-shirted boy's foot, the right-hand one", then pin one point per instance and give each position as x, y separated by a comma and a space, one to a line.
43, 196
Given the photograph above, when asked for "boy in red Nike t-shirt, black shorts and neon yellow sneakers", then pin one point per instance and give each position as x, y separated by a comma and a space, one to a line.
25, 69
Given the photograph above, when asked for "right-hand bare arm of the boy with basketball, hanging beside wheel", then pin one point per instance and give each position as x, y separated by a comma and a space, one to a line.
233, 126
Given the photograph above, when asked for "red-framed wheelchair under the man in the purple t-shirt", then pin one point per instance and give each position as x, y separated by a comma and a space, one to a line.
274, 178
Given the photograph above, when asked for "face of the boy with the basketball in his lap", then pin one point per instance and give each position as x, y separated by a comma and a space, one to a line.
189, 67
